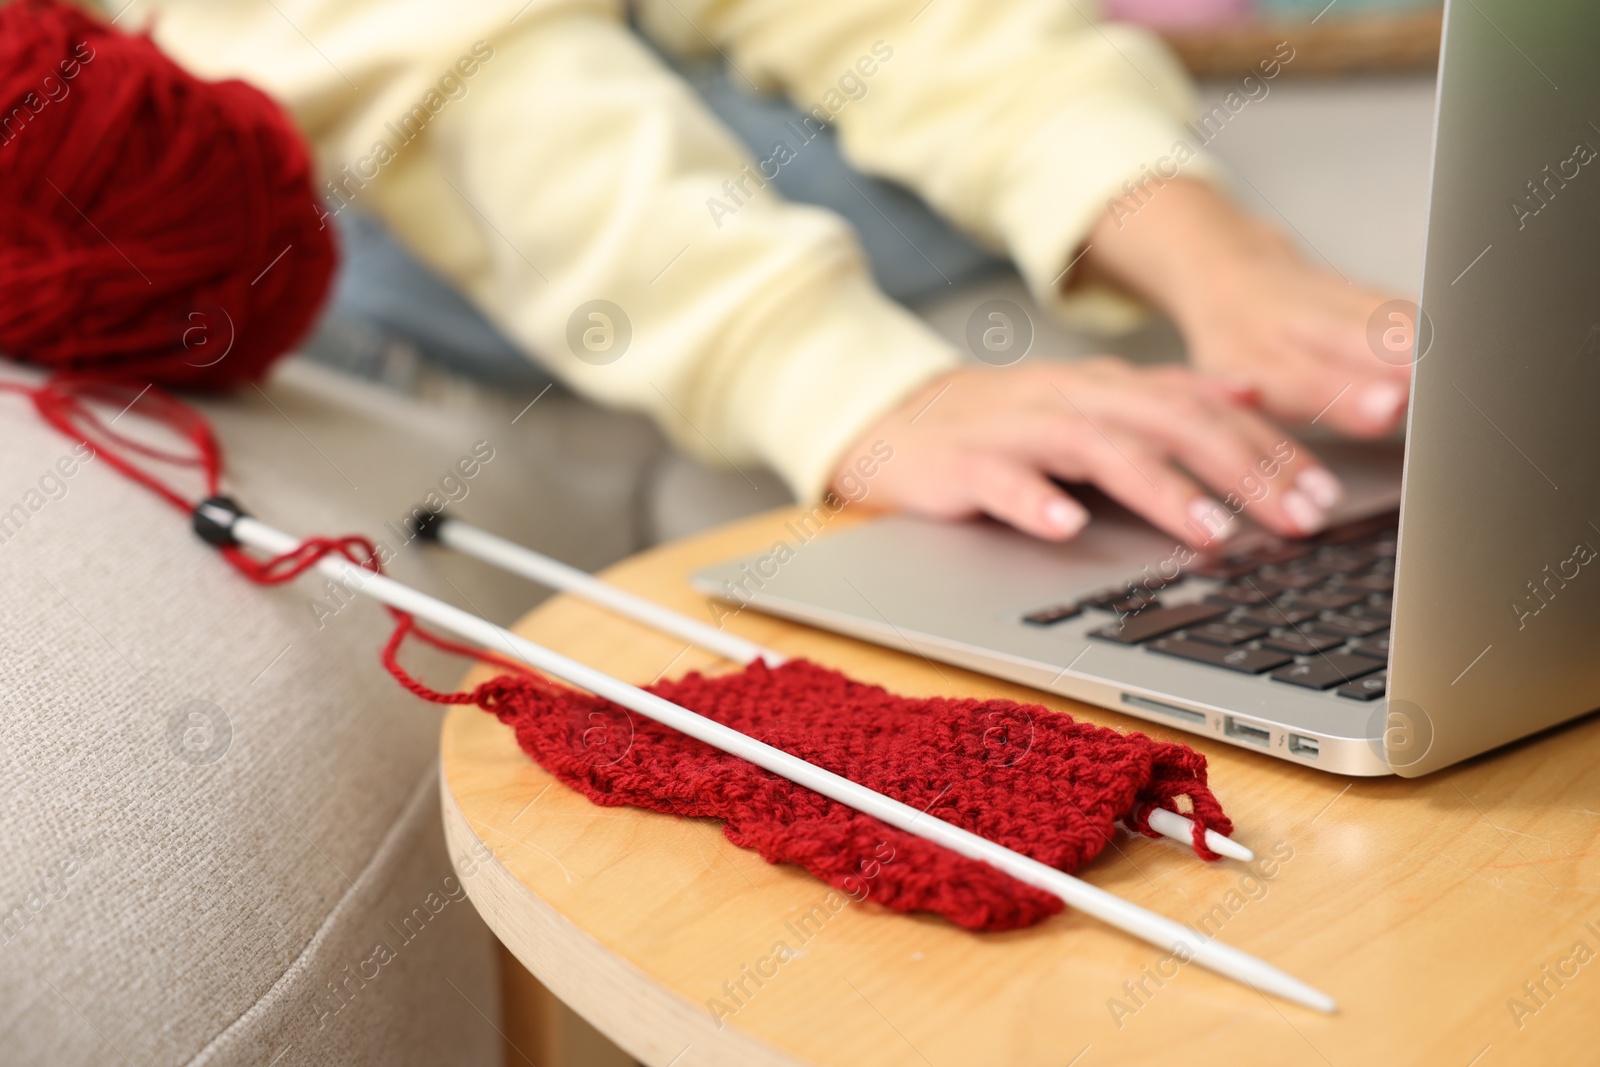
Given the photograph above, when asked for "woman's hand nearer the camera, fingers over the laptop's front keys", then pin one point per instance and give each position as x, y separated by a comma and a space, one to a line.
990, 441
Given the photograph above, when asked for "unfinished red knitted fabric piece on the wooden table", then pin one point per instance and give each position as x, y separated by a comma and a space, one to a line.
1020, 775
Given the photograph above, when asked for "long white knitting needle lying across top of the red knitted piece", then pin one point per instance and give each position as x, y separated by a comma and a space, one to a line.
1140, 922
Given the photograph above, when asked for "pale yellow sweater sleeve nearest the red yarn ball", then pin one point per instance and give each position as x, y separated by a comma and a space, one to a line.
543, 161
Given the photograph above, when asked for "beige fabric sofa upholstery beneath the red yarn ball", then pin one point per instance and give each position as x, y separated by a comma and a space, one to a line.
215, 805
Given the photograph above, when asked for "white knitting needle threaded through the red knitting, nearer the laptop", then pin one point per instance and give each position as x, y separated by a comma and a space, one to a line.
510, 556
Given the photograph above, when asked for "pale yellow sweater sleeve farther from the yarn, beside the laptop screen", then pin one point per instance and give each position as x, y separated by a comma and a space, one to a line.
1022, 121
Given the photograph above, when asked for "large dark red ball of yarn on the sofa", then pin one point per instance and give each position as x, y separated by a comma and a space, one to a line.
156, 228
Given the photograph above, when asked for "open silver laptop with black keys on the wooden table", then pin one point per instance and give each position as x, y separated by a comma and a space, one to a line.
1452, 607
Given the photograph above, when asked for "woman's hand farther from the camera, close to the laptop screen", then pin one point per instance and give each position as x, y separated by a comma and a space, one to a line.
1255, 313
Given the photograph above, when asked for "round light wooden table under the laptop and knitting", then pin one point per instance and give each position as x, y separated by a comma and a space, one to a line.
1449, 916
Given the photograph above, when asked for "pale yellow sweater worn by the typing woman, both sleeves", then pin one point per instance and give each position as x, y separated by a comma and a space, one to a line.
540, 158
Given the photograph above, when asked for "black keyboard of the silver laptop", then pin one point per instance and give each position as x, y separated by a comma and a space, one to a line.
1306, 613
